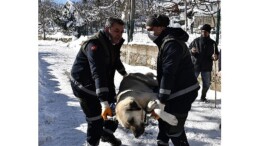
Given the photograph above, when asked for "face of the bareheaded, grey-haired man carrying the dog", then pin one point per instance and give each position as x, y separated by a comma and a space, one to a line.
116, 31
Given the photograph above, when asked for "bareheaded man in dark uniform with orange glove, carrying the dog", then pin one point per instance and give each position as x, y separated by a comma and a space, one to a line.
92, 80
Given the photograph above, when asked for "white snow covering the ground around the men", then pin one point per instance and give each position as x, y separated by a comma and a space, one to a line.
62, 122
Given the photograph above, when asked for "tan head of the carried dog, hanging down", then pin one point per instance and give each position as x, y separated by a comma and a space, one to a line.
131, 116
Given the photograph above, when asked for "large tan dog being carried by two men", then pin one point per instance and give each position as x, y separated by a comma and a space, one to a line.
136, 97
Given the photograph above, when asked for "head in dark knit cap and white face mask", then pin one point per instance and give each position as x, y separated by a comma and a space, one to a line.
156, 24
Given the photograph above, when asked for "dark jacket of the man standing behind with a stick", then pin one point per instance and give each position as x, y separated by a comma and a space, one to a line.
202, 60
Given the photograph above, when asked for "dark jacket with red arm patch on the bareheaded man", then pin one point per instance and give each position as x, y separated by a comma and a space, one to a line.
95, 65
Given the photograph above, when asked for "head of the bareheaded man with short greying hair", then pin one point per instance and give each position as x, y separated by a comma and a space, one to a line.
114, 27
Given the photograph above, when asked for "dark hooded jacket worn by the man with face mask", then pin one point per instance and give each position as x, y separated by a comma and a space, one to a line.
175, 69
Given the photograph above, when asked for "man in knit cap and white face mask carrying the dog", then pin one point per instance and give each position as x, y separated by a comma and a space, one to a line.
178, 86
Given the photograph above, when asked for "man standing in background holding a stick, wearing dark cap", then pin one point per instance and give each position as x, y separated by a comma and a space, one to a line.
204, 51
